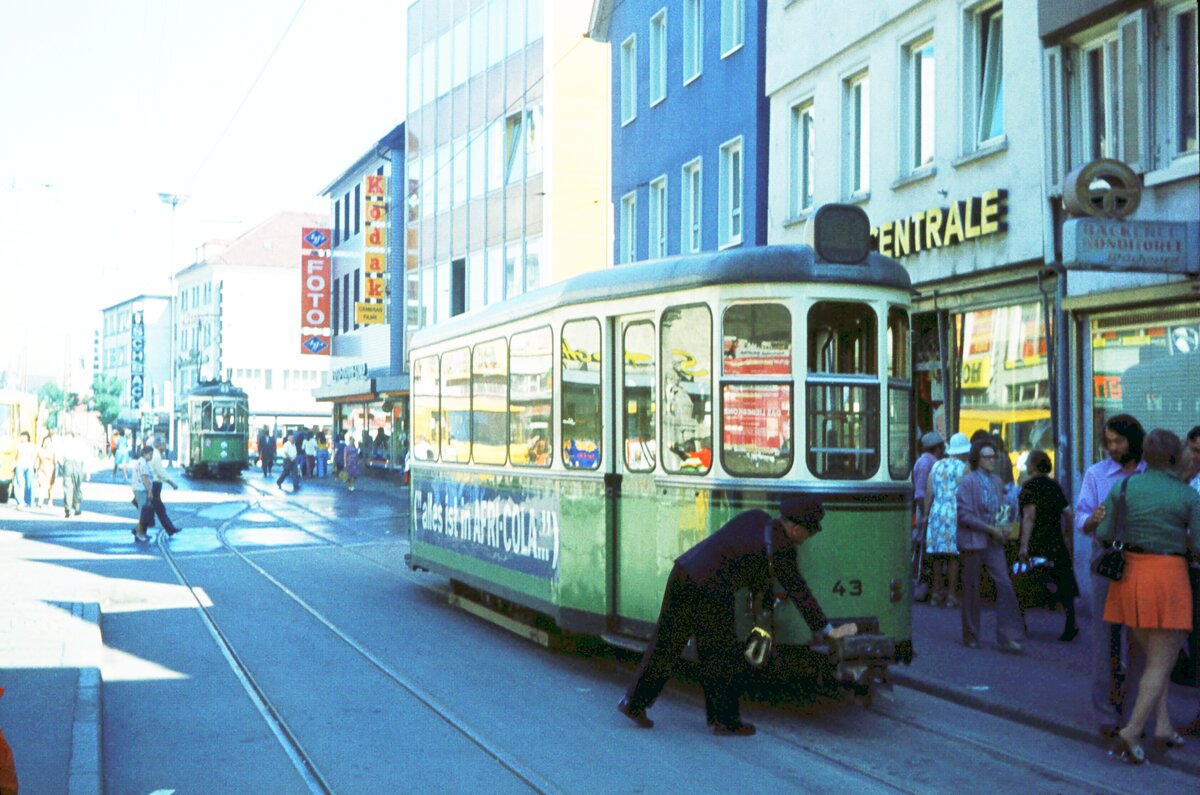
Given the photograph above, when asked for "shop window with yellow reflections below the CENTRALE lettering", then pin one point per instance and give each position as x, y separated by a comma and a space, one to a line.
1004, 380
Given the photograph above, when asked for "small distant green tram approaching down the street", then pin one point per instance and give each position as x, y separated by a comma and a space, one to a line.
214, 431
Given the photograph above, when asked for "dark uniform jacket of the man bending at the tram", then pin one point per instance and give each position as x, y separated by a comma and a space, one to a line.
736, 558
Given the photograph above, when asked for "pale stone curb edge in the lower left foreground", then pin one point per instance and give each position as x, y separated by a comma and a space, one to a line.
87, 772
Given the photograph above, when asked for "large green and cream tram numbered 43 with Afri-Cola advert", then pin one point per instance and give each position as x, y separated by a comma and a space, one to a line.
571, 444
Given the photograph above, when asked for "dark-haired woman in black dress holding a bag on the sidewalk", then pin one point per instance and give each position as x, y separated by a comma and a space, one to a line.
1047, 531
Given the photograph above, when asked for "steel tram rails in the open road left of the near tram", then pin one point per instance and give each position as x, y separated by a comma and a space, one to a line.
303, 761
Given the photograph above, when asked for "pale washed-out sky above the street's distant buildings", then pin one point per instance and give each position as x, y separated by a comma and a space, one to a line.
105, 105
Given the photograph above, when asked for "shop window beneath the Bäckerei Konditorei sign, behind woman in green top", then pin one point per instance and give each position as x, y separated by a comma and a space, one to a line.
1147, 364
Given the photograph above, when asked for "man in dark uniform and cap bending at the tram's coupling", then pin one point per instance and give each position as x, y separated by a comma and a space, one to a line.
699, 602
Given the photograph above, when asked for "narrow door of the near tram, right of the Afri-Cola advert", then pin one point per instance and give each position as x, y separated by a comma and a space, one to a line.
638, 590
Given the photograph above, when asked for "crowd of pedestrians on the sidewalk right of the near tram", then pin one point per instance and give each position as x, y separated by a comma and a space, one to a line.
1139, 507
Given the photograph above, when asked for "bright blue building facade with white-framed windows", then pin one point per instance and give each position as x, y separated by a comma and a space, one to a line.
689, 125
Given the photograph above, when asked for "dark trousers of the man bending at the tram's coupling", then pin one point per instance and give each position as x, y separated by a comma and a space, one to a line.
688, 612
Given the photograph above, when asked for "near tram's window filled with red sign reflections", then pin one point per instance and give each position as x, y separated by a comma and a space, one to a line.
757, 391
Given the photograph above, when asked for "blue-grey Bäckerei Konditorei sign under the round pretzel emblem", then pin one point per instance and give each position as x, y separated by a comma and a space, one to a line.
1142, 247
